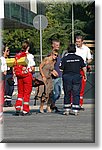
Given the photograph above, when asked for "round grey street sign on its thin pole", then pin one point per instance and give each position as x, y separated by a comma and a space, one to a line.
40, 22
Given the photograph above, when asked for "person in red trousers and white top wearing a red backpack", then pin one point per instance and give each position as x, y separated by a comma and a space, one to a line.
24, 80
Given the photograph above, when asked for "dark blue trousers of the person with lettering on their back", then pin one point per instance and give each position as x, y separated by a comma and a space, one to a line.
71, 85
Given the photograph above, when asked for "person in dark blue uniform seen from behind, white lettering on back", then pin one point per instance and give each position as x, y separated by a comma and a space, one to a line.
70, 65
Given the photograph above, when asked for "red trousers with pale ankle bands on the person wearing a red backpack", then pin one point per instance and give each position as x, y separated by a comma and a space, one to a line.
24, 91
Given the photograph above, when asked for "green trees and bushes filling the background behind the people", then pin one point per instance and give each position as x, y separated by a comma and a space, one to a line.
59, 17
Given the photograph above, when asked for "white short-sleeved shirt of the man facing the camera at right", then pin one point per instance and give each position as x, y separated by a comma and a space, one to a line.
84, 52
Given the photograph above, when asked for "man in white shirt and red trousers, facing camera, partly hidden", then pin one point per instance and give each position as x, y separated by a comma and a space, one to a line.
83, 51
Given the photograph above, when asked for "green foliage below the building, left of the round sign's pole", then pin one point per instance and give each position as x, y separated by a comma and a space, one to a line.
14, 38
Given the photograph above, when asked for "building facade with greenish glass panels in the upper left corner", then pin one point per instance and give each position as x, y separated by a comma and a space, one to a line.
19, 14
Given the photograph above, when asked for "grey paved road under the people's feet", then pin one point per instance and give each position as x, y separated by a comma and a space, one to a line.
50, 127
